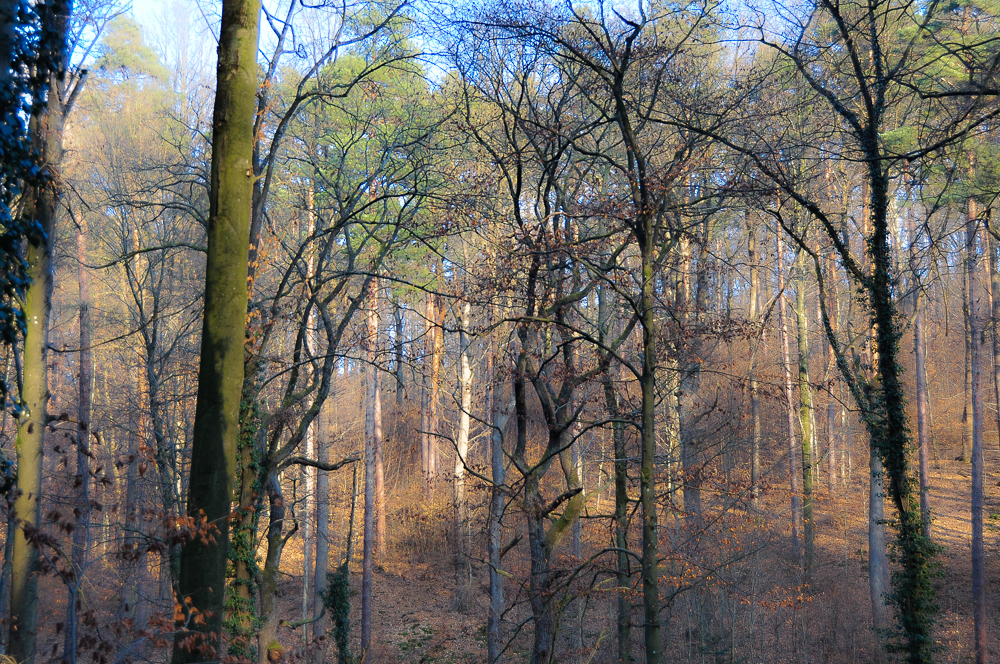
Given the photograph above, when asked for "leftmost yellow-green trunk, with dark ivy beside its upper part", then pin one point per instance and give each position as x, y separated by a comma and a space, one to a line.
47, 130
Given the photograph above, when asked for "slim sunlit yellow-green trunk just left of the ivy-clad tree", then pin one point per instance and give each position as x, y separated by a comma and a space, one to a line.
806, 415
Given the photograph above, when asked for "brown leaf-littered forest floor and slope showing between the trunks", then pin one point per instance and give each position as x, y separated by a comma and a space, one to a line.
757, 609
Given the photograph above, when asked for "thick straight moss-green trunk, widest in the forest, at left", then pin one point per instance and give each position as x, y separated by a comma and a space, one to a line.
220, 379
